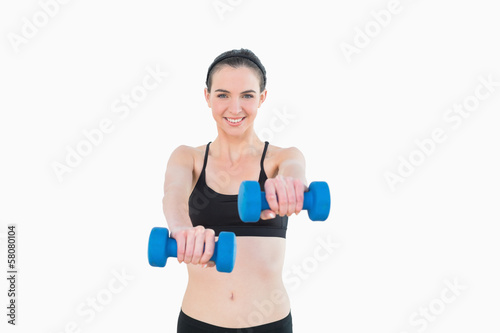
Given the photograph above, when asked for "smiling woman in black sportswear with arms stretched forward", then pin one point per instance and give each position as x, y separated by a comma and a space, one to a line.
201, 186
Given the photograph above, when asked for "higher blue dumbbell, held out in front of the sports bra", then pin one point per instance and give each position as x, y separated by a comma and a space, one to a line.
251, 201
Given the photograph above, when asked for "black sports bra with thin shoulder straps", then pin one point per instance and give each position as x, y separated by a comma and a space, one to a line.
220, 211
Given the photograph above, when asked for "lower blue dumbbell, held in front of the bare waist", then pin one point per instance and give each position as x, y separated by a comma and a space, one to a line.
161, 247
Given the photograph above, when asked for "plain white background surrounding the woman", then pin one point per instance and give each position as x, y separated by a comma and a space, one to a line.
352, 120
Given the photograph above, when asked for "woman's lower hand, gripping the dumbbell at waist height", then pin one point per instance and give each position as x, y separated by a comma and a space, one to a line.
195, 245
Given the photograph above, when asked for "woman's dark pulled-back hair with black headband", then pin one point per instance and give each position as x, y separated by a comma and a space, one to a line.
236, 59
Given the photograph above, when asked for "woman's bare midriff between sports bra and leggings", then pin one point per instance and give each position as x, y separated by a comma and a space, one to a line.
252, 294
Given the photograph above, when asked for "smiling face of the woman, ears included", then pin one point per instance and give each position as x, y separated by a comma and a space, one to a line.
234, 99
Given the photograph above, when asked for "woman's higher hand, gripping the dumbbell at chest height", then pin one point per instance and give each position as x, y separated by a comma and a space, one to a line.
285, 196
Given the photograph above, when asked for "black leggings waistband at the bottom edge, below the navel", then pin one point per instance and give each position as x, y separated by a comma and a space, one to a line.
187, 324
